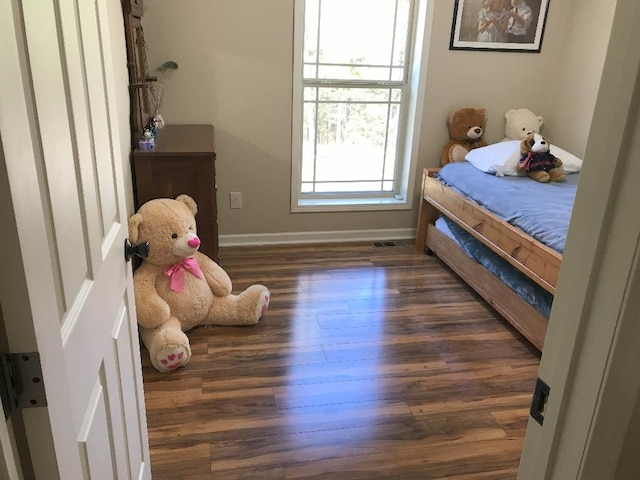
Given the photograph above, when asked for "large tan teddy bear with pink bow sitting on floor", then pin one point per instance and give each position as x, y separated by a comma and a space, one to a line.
178, 288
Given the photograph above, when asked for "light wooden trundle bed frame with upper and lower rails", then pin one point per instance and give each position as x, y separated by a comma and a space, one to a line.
534, 259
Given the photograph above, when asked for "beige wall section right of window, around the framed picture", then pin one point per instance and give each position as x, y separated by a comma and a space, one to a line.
496, 81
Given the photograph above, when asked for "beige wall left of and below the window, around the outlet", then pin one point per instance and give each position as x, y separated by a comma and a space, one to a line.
235, 71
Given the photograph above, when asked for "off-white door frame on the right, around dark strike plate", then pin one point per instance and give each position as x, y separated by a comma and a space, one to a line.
591, 355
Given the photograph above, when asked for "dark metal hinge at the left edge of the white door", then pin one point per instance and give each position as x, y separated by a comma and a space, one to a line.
21, 383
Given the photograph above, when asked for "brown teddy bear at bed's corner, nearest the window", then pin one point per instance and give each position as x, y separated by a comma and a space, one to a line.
466, 129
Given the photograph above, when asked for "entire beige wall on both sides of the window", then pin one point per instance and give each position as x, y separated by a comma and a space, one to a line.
235, 62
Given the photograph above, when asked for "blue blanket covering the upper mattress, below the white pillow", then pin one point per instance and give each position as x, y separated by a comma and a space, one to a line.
542, 210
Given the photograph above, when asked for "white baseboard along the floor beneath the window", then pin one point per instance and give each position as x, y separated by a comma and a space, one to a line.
316, 237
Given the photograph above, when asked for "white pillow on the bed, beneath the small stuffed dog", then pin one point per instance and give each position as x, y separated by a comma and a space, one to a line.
502, 158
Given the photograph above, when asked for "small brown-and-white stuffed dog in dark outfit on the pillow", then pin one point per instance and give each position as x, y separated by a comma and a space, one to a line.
537, 161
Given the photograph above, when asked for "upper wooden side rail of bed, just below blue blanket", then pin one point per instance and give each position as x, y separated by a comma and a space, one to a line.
537, 261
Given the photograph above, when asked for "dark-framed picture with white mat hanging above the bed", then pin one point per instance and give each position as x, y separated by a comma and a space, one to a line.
500, 25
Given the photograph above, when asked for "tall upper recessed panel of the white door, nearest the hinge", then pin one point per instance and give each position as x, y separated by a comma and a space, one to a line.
53, 128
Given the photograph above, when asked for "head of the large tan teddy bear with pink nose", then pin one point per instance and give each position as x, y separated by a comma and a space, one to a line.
170, 228
